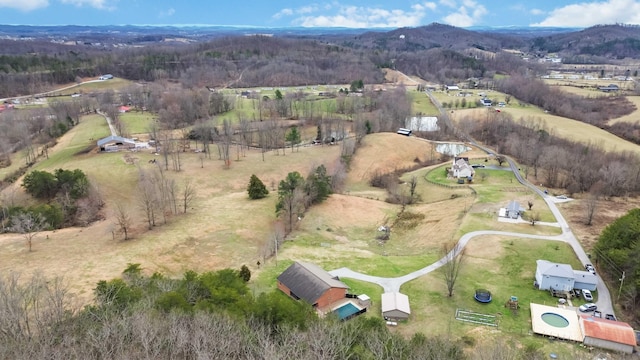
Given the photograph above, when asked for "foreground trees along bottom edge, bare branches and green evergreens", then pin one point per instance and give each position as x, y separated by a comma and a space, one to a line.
212, 315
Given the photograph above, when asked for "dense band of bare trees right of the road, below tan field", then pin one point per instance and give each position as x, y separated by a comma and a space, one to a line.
575, 166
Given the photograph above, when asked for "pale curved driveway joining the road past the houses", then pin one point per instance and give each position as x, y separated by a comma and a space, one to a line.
394, 284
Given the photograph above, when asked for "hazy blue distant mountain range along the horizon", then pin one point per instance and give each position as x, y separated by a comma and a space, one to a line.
604, 41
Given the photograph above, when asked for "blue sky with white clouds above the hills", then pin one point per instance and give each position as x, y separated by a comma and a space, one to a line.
327, 13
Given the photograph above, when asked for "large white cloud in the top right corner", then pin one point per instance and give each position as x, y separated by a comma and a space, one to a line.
587, 14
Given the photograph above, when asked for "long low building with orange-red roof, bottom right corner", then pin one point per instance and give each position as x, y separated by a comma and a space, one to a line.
608, 334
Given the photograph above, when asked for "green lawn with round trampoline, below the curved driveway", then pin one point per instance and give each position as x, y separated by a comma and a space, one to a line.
504, 266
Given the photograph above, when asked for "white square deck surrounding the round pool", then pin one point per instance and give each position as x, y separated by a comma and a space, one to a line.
571, 332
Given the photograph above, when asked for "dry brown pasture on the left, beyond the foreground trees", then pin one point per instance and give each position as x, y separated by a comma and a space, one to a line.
223, 228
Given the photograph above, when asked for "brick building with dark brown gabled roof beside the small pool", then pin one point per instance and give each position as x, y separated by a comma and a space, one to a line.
312, 284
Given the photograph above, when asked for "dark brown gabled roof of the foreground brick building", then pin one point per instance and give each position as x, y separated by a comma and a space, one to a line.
308, 281
